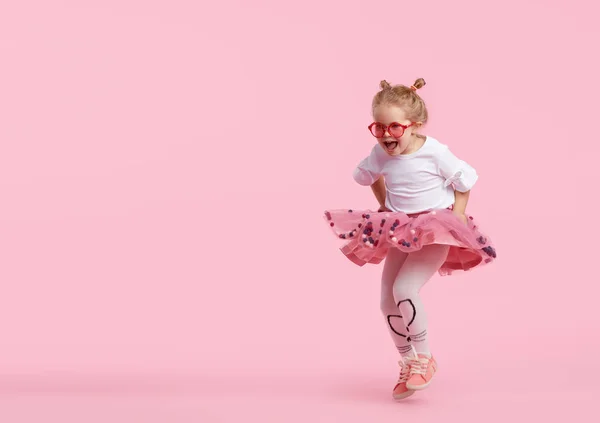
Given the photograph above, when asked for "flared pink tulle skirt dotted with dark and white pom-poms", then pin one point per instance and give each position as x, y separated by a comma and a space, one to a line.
369, 235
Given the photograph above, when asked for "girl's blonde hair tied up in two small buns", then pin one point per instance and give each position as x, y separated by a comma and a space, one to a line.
405, 98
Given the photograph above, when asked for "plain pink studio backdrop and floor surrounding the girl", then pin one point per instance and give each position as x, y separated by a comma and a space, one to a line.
164, 166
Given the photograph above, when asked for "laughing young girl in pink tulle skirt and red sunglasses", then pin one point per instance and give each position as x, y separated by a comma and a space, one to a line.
421, 226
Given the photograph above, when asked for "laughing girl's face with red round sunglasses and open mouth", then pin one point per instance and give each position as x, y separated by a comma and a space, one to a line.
386, 115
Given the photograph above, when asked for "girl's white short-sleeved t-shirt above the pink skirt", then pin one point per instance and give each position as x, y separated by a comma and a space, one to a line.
420, 181
